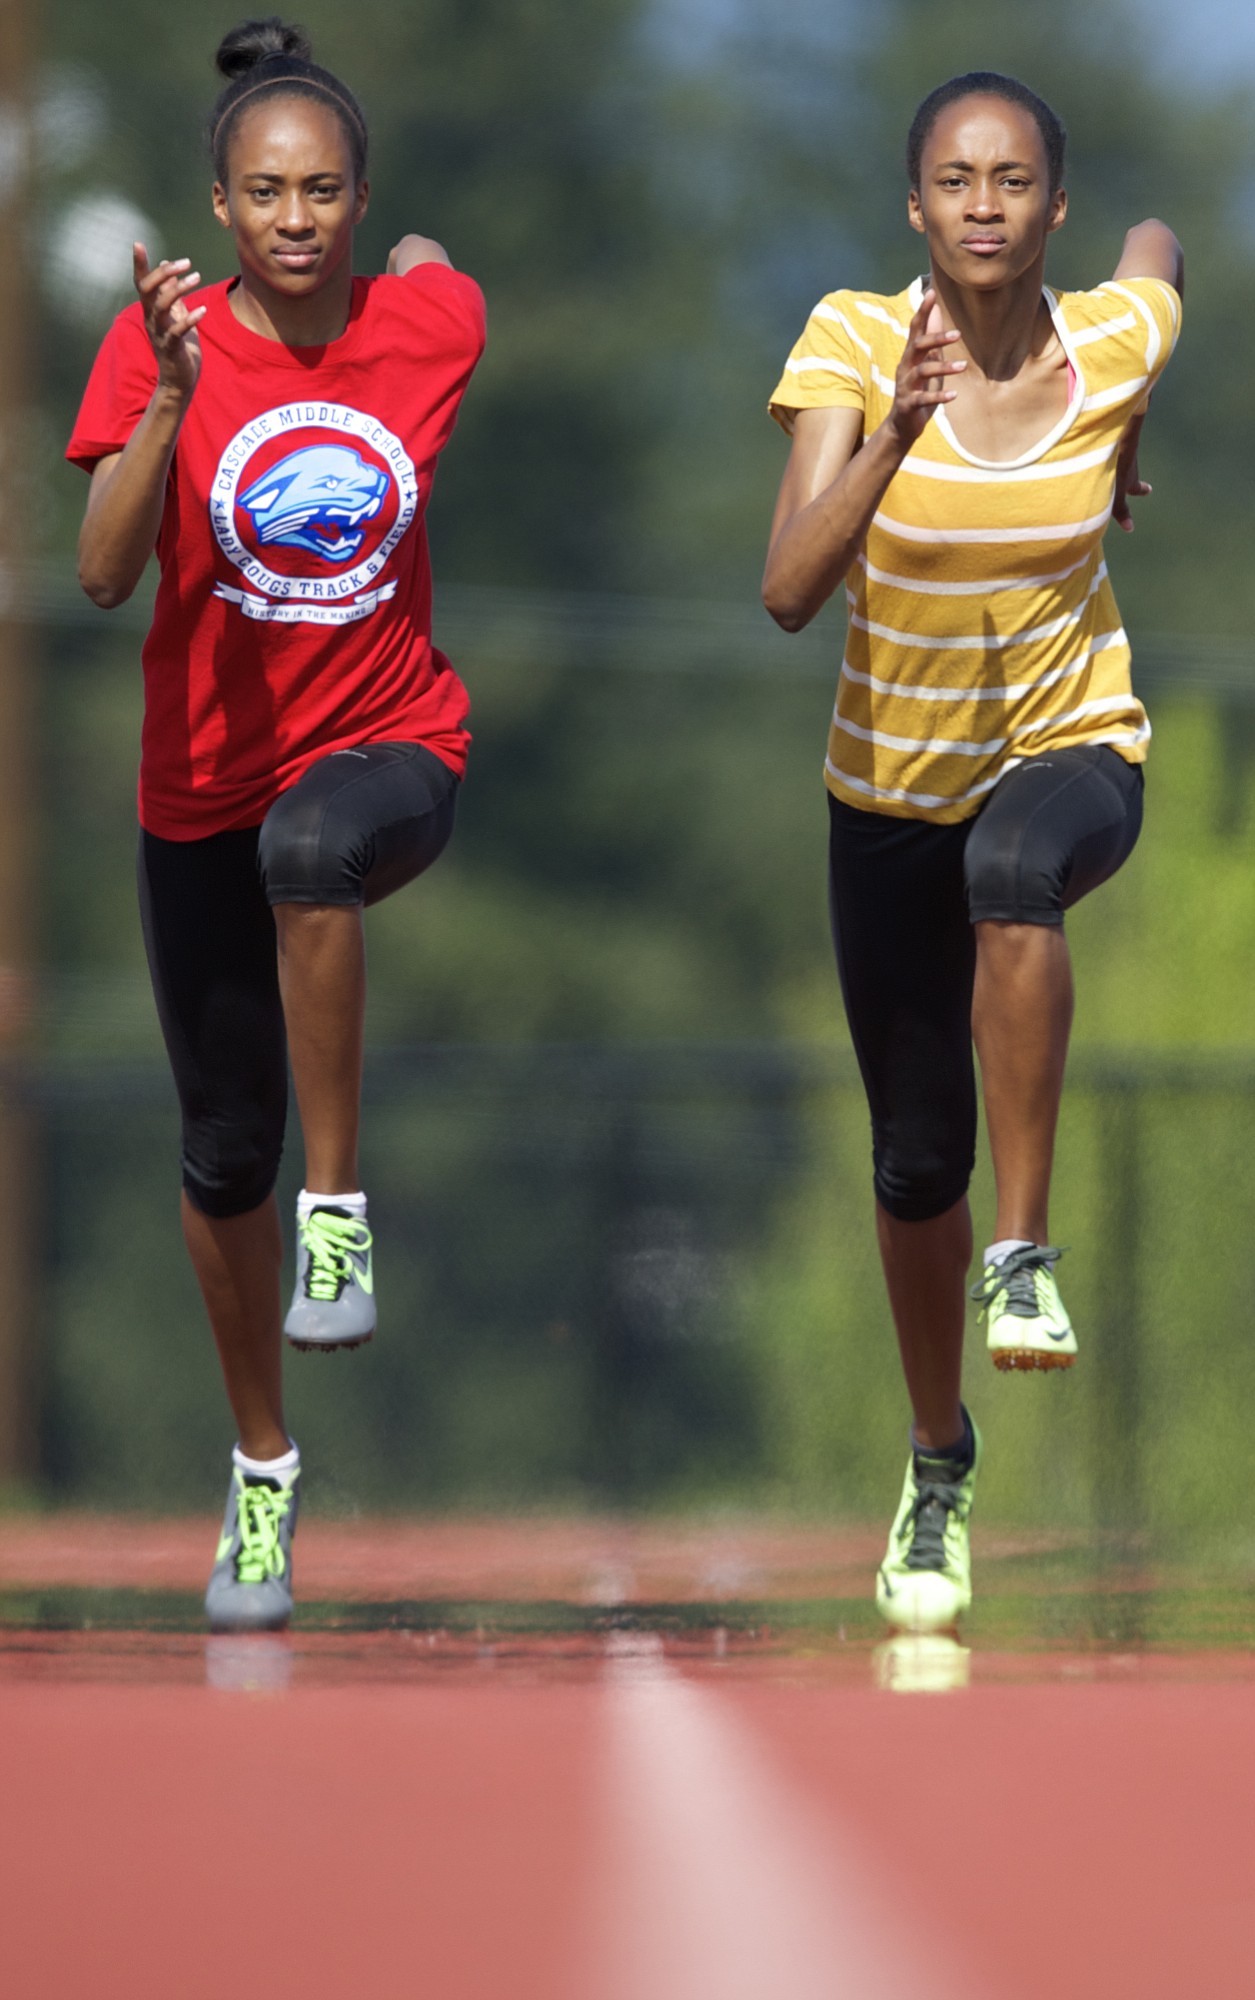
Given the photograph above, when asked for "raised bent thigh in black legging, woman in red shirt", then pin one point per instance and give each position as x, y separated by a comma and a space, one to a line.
359, 827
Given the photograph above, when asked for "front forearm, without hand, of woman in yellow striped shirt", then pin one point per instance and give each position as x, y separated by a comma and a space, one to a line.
816, 547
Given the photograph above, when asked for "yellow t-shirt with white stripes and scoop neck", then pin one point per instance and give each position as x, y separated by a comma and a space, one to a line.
982, 621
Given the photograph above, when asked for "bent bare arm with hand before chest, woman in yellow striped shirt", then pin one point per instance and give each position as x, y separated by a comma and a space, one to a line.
834, 483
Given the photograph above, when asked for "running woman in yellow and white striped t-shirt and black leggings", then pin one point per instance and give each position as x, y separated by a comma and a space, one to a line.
958, 453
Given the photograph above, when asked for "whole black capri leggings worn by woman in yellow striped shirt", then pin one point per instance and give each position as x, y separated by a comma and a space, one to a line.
904, 899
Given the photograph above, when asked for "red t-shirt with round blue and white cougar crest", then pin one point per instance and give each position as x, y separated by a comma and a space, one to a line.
295, 607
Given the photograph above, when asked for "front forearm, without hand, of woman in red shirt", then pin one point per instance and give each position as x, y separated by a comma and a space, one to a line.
125, 509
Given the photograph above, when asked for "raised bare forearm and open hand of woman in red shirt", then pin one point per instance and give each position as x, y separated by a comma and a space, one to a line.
129, 489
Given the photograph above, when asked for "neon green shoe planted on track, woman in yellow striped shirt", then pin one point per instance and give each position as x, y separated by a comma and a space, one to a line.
924, 1585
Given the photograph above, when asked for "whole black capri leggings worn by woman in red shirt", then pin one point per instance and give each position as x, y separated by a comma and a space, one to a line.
357, 827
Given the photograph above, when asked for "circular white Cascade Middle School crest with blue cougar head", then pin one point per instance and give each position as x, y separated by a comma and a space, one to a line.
307, 505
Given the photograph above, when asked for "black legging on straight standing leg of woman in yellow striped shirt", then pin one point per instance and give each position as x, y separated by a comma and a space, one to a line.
906, 957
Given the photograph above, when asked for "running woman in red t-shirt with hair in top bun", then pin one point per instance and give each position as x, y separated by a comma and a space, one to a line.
275, 439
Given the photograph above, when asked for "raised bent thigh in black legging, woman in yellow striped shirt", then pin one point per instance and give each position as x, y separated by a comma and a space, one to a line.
1054, 829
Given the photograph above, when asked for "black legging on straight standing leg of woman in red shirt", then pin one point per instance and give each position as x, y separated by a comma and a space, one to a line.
211, 947
